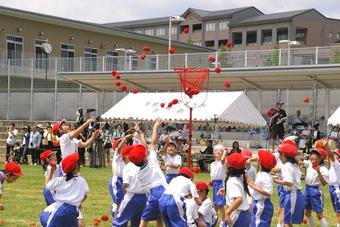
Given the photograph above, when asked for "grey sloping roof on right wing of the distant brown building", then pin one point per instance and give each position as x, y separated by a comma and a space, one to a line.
269, 18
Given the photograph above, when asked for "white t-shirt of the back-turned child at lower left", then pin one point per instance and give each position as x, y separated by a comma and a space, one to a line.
72, 191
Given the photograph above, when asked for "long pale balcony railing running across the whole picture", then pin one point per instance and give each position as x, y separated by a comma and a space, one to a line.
277, 58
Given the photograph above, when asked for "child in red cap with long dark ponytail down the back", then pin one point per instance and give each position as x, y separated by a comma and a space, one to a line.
237, 213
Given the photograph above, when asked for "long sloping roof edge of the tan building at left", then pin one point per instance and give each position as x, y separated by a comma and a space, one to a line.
91, 27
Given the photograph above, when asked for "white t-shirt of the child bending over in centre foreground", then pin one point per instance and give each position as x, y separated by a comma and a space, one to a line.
181, 186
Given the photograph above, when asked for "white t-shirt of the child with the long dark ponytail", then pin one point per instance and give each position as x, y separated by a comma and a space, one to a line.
235, 189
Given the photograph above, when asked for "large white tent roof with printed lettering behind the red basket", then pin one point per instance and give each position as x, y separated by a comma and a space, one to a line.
232, 107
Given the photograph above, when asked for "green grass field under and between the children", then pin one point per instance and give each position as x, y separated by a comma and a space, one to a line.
23, 200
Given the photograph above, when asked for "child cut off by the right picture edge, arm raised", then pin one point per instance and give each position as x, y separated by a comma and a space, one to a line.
334, 180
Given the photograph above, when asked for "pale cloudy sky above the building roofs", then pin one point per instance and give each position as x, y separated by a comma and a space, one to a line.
106, 11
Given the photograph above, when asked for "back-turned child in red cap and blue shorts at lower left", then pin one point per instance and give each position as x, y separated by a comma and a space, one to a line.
69, 191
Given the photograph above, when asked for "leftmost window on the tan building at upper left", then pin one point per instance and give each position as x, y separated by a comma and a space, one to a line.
14, 49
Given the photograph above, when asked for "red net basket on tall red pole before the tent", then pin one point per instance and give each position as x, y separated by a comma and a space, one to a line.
192, 81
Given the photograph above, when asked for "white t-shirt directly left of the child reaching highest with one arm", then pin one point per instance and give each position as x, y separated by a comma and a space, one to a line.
130, 176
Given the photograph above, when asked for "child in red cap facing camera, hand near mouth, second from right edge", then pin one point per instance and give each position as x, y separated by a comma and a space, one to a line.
317, 176
